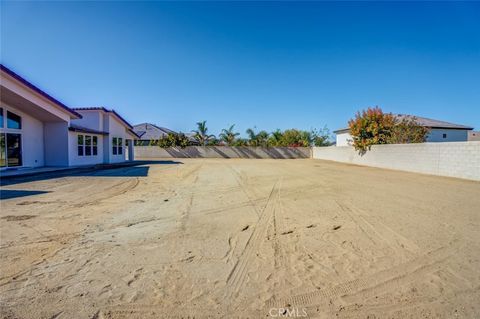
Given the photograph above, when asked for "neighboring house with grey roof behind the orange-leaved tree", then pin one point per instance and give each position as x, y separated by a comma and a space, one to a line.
440, 131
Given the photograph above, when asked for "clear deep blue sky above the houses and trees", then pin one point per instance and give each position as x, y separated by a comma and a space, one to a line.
269, 65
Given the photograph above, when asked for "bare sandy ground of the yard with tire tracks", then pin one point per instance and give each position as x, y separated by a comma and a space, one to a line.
242, 238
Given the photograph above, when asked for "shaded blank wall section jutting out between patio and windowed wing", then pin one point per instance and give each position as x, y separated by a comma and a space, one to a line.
56, 143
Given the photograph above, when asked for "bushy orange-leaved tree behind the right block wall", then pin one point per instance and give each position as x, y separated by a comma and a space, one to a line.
370, 127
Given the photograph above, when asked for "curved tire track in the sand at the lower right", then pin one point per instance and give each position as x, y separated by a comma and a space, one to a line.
378, 283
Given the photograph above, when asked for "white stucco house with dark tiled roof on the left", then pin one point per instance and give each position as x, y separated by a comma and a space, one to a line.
38, 130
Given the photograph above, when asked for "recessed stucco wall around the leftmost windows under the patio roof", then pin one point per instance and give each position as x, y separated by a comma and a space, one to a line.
32, 137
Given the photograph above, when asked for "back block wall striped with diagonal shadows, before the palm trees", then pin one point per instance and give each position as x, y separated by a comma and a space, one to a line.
150, 152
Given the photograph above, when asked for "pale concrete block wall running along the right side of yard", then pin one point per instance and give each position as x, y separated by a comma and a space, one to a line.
454, 159
